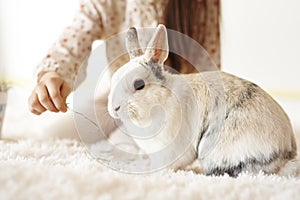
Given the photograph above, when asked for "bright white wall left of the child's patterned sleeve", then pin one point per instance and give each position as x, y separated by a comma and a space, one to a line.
28, 28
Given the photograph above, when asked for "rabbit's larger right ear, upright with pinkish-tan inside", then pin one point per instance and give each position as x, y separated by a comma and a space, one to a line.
158, 48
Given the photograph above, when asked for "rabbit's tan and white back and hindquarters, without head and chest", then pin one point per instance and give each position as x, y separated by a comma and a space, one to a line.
243, 127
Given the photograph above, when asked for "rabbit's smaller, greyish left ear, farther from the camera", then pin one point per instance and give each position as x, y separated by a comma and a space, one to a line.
132, 43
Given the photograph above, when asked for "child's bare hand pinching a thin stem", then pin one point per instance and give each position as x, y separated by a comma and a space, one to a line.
50, 93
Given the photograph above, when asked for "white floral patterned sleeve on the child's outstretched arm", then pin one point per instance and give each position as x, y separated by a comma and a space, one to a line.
74, 44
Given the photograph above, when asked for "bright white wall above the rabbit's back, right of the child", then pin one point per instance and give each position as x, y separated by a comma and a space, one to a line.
261, 42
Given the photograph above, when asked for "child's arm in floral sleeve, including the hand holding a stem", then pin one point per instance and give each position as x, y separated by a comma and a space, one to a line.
59, 69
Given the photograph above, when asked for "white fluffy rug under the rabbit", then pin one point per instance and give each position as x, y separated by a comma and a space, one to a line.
60, 169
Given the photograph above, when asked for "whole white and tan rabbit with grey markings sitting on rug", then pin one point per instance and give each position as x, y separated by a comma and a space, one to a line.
213, 122
